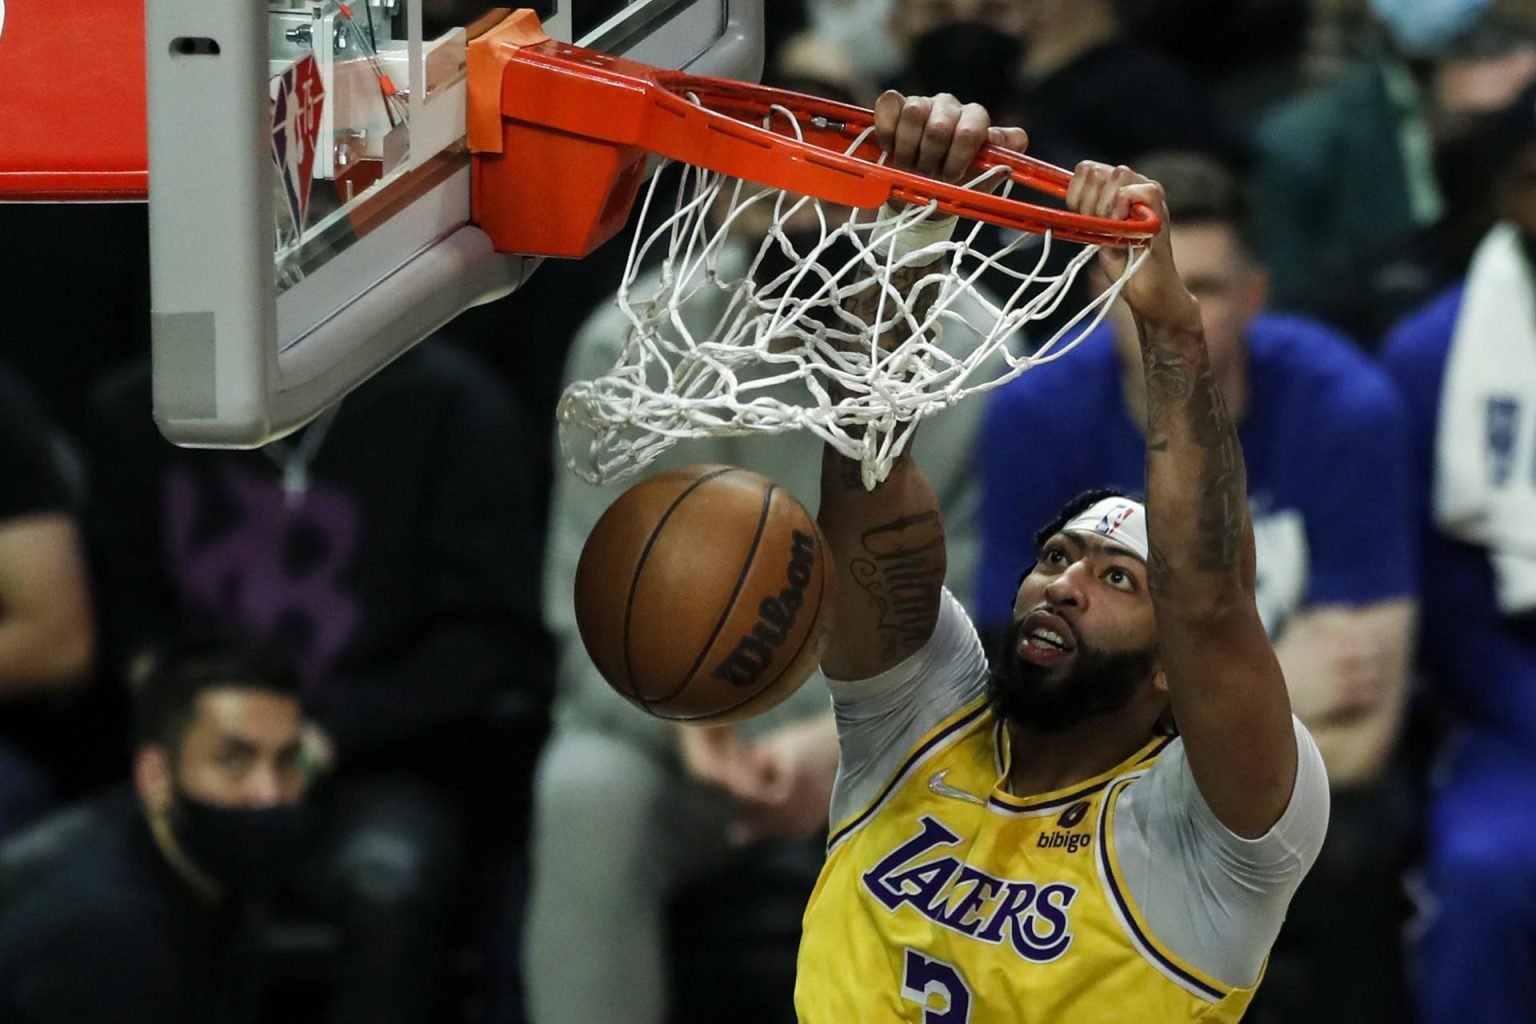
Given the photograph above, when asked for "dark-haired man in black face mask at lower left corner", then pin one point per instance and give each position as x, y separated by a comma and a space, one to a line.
145, 910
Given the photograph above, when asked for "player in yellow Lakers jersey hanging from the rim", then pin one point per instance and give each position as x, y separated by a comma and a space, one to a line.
1105, 819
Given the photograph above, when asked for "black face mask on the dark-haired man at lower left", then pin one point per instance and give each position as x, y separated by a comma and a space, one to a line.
248, 850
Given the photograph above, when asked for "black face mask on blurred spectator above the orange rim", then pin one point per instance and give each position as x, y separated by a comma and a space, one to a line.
970, 59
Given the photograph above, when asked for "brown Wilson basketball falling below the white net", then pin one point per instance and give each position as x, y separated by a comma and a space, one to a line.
701, 595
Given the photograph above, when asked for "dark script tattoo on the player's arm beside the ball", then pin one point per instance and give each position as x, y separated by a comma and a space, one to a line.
901, 569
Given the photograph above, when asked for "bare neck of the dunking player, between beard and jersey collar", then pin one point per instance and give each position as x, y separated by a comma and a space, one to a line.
1047, 762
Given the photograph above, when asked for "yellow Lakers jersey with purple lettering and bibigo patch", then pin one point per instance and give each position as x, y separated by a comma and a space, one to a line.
952, 902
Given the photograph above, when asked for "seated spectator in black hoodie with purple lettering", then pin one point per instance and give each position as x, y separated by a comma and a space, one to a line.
388, 549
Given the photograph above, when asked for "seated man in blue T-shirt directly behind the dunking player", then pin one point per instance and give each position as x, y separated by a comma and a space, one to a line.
1326, 449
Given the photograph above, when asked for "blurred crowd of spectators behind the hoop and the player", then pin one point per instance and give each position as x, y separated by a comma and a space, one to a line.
308, 735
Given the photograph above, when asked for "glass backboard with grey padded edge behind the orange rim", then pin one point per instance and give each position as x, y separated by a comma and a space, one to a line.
310, 188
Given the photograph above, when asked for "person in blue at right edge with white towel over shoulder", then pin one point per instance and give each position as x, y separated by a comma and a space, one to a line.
1466, 366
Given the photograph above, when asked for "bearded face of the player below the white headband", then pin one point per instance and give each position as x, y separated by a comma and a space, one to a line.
1084, 638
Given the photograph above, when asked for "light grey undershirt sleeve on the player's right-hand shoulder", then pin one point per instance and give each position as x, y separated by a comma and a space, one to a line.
1210, 896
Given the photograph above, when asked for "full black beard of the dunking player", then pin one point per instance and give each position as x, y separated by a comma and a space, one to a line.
1099, 684
